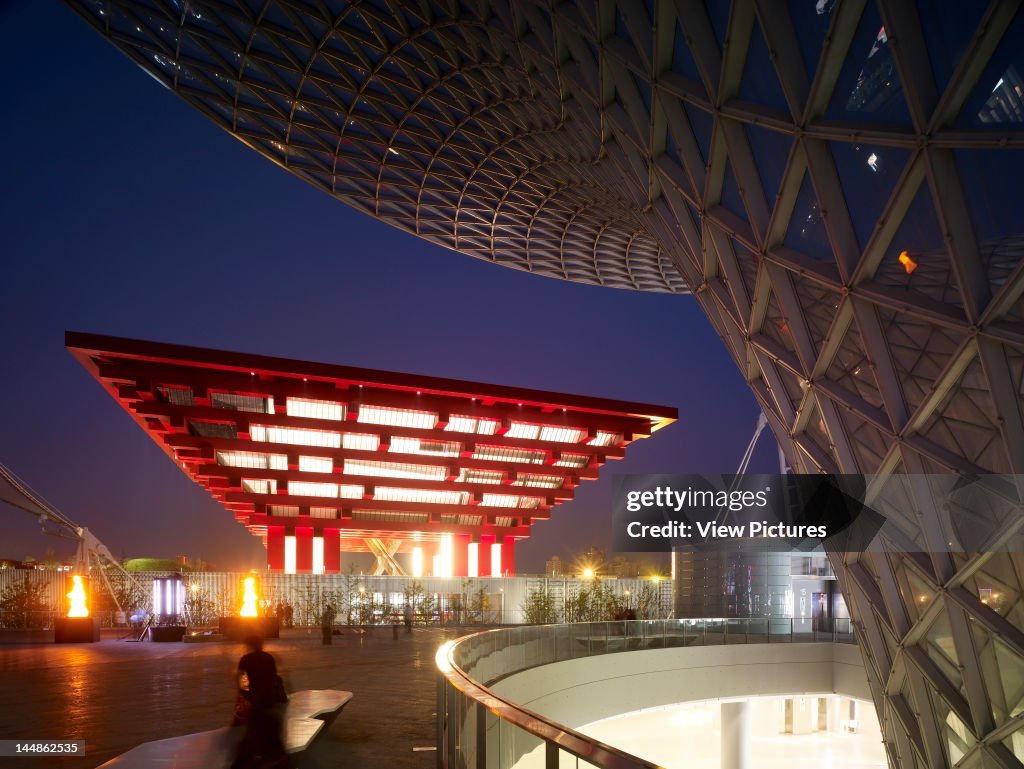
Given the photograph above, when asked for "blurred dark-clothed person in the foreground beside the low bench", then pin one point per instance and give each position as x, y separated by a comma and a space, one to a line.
263, 745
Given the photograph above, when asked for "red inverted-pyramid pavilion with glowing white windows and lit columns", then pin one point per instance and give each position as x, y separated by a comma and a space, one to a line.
318, 459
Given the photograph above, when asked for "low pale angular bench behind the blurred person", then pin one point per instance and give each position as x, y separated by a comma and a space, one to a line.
308, 715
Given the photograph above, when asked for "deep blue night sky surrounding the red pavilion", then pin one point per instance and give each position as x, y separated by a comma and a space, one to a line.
129, 213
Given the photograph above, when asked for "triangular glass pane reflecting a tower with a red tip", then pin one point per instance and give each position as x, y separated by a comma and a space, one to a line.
869, 89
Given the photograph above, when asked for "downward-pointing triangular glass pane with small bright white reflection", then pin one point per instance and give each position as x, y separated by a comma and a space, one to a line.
868, 175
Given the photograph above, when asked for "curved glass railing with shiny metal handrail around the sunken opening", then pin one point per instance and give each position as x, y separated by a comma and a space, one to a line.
480, 730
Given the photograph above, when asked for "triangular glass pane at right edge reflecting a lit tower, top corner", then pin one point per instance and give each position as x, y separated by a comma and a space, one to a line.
997, 99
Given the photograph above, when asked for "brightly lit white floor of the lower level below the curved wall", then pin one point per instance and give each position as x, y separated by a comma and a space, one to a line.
685, 737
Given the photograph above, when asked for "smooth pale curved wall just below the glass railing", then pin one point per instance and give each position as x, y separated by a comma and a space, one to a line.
579, 692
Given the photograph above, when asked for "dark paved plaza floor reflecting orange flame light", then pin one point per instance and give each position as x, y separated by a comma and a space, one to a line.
117, 695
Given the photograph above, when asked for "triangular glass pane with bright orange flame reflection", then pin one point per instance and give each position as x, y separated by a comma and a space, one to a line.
917, 262
